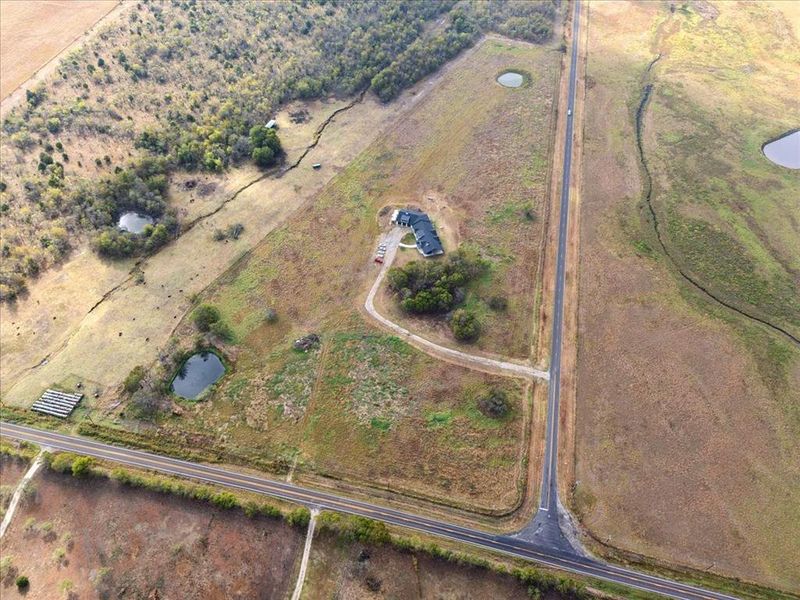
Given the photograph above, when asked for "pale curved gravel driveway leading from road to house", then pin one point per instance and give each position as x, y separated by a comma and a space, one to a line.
480, 363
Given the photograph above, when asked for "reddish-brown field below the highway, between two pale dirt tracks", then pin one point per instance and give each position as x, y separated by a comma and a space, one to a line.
90, 539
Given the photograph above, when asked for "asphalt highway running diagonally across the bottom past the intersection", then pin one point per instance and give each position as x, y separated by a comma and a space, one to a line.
325, 501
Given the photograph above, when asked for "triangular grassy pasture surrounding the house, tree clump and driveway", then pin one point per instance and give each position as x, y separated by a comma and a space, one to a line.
365, 406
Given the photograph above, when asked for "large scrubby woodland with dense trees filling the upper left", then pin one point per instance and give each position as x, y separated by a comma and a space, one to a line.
189, 85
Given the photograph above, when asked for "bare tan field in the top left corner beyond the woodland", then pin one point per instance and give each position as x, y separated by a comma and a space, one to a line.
33, 33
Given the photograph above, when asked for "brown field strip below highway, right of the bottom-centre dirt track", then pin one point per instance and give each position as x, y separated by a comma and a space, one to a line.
353, 571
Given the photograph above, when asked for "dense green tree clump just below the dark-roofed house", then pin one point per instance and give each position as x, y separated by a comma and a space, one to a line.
438, 287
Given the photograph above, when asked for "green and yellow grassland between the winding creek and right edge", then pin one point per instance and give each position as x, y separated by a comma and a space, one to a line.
731, 219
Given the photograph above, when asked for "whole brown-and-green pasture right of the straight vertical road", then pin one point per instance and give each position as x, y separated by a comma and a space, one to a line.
687, 421
